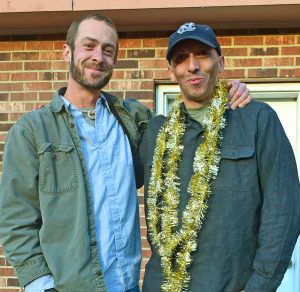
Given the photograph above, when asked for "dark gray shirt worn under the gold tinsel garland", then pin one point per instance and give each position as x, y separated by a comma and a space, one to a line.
253, 217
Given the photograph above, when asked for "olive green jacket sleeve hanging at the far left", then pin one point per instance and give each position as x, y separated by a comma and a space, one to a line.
20, 217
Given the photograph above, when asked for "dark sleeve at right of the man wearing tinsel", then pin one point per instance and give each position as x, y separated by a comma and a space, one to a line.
279, 218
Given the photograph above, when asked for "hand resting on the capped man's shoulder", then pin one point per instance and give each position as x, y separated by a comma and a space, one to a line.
239, 94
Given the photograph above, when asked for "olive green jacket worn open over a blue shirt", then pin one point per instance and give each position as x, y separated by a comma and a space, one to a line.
46, 216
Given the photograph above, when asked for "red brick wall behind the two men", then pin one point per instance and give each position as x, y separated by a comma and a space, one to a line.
32, 67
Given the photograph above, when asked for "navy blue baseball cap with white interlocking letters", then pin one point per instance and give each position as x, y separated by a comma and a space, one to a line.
192, 31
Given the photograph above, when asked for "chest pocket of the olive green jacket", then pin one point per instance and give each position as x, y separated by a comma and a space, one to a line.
57, 169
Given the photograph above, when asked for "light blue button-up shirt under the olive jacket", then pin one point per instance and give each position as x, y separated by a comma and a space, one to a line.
109, 164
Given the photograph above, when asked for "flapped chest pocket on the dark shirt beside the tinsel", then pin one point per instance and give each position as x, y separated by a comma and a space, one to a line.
237, 169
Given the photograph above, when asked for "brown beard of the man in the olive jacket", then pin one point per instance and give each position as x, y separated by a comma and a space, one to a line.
91, 83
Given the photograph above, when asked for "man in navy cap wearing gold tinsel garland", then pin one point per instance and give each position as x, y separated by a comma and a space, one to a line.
221, 186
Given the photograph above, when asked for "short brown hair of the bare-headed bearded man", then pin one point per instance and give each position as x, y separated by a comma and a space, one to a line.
73, 29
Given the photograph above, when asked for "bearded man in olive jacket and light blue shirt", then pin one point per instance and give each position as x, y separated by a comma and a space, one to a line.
69, 210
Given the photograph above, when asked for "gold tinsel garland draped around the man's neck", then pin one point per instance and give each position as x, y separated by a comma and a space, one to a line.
175, 247
